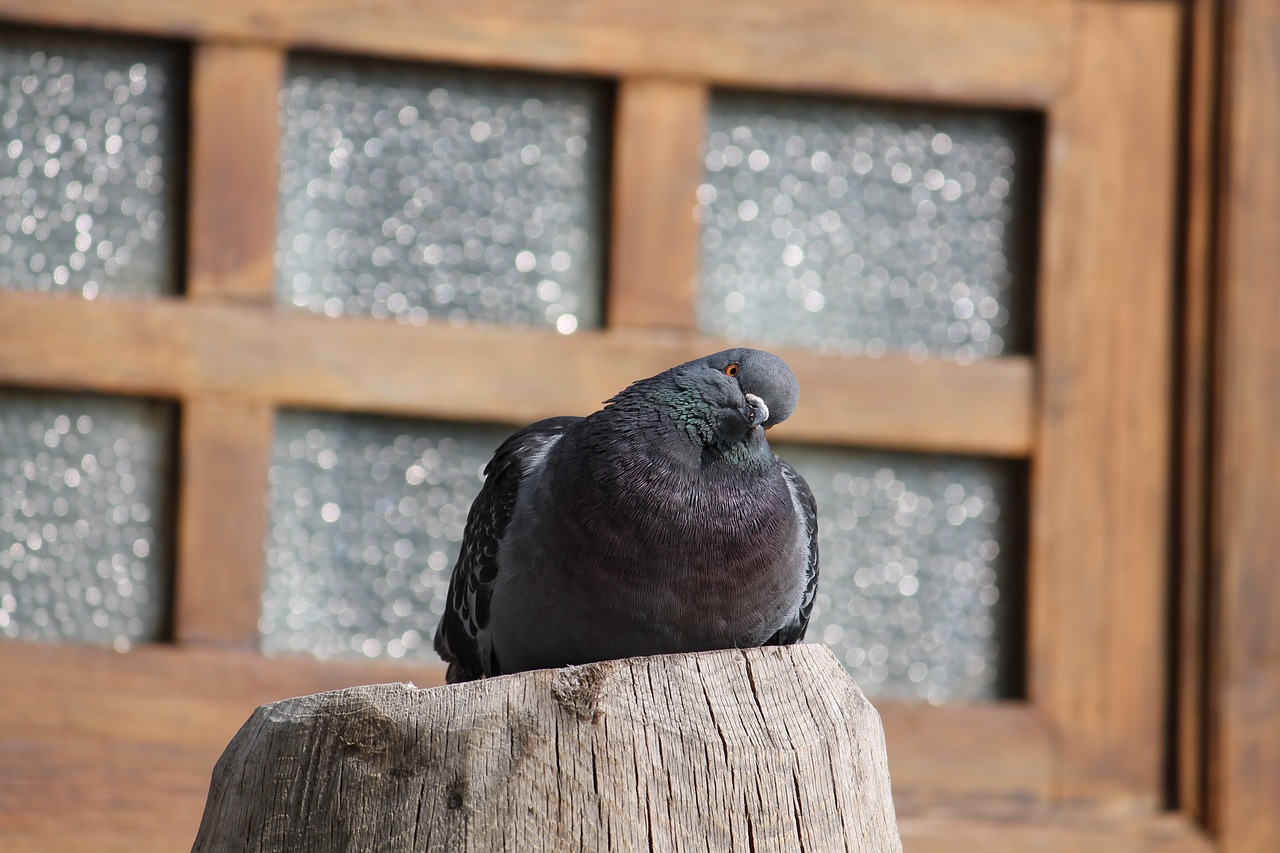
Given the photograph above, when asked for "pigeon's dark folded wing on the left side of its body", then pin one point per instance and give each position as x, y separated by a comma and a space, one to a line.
463, 637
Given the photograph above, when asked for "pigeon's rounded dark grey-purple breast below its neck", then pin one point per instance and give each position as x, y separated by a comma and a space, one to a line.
647, 560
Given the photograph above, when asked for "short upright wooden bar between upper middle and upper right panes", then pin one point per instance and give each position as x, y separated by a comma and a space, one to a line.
655, 253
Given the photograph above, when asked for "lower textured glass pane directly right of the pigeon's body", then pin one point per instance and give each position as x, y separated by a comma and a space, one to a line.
921, 591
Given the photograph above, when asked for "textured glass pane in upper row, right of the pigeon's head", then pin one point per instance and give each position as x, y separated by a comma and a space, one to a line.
866, 229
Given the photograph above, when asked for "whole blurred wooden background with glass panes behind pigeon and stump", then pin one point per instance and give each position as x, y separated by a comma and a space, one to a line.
276, 284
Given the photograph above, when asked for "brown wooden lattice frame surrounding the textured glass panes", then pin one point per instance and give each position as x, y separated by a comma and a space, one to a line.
1080, 763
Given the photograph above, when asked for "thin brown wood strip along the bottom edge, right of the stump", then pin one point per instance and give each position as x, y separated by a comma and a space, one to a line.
1063, 833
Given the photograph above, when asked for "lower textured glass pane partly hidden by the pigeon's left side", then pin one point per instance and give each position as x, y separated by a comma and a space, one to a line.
367, 523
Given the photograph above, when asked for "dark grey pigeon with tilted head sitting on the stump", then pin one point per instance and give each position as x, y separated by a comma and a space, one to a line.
662, 523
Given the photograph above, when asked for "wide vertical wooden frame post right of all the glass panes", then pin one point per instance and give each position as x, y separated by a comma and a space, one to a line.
1100, 491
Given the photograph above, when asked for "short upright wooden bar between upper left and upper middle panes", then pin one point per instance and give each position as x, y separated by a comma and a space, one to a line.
235, 148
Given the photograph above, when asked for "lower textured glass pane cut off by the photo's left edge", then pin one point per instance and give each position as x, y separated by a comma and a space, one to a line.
85, 526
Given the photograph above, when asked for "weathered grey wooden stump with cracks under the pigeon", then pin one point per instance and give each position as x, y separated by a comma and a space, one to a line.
757, 750
